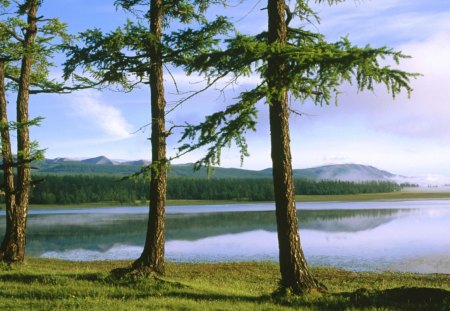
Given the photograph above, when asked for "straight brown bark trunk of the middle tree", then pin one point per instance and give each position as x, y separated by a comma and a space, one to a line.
152, 257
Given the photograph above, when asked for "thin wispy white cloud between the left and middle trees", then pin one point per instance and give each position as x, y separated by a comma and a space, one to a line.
89, 108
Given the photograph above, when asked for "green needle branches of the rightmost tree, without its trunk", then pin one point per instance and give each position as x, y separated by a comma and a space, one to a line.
315, 69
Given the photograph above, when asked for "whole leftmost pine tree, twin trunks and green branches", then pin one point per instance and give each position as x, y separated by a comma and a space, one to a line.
26, 43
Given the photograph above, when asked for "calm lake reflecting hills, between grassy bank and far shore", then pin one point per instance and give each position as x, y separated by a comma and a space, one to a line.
375, 236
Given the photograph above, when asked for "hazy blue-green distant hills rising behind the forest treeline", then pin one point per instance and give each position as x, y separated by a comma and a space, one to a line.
103, 165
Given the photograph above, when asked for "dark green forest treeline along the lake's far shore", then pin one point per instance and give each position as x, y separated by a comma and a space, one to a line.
77, 189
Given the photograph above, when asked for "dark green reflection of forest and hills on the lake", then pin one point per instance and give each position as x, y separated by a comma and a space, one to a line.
101, 232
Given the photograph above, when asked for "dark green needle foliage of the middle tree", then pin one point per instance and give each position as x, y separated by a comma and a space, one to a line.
121, 56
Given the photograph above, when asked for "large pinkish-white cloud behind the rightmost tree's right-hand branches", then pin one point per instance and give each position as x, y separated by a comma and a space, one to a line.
423, 116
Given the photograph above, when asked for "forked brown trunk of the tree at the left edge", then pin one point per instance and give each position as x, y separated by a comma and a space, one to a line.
13, 246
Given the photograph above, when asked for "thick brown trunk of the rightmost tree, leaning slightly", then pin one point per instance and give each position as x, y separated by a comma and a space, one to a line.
293, 267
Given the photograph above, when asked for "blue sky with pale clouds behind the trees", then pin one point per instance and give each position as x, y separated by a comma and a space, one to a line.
406, 136
